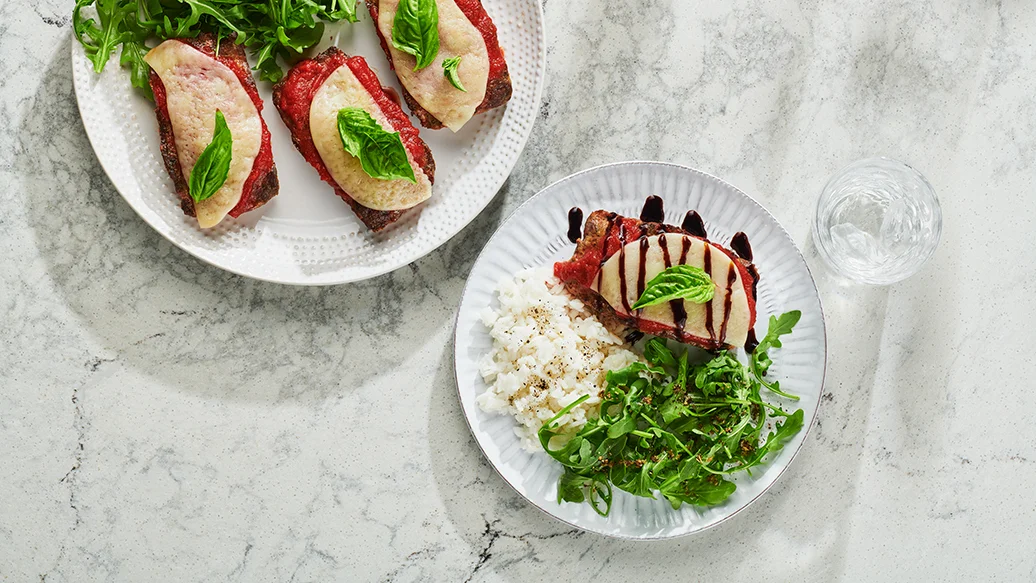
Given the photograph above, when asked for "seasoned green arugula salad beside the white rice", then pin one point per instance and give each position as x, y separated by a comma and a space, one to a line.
673, 428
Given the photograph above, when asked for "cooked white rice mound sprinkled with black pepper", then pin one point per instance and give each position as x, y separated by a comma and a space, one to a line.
549, 351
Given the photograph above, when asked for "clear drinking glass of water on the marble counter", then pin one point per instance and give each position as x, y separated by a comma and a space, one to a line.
878, 222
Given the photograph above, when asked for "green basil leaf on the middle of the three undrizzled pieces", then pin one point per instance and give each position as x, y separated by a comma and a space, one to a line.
381, 154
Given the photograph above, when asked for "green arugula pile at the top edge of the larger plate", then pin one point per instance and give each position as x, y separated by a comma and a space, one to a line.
284, 28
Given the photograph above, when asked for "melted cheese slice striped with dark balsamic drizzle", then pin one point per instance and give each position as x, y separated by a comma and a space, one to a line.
612, 280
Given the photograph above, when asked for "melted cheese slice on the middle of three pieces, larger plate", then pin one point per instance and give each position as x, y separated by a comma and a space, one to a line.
342, 90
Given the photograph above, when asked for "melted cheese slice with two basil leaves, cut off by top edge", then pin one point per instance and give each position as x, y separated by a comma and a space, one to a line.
458, 38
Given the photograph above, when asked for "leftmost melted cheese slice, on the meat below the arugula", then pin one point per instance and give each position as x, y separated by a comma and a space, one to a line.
196, 86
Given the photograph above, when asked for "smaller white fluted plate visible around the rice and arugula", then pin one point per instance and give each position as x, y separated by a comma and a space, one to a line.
535, 236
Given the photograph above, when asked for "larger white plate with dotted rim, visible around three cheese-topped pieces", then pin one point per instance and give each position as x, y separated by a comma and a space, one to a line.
307, 236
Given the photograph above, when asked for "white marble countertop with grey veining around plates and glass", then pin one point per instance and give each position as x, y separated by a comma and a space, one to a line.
163, 421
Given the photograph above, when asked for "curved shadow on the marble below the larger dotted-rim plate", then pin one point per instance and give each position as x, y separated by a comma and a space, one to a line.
195, 328
